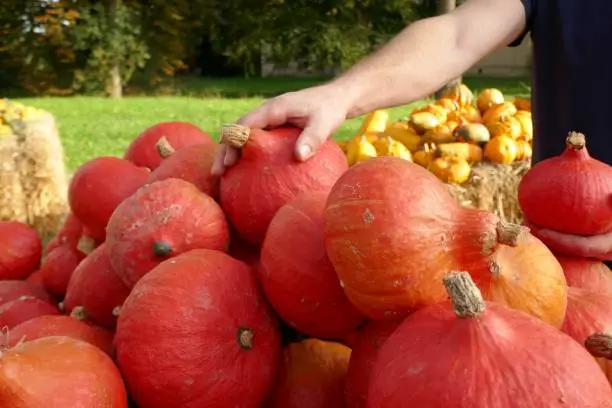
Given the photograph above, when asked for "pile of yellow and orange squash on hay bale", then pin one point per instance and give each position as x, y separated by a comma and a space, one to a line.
449, 135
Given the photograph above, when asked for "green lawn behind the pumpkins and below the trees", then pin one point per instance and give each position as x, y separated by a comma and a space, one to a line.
95, 126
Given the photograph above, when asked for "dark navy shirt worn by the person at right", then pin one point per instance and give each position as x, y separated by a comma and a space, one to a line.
572, 74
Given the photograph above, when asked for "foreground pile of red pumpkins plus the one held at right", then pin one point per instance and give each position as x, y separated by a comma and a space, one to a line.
287, 284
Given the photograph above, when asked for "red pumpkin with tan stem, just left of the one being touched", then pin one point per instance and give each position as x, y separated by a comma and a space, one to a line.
191, 163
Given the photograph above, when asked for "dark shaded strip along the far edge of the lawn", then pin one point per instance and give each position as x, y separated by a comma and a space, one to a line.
237, 88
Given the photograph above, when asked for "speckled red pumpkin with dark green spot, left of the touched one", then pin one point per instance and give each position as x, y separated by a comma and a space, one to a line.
159, 221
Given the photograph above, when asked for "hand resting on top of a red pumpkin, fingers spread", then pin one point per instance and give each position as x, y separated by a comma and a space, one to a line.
318, 110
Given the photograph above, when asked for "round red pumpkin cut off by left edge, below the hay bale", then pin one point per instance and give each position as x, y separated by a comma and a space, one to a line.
20, 252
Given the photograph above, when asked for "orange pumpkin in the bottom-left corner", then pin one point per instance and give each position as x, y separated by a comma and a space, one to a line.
59, 372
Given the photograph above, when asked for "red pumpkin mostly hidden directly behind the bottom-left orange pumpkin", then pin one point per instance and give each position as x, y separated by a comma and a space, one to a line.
54, 325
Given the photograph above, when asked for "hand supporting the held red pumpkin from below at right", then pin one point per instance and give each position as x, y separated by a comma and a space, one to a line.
594, 246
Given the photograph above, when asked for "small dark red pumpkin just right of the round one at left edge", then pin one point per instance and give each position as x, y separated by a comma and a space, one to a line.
57, 268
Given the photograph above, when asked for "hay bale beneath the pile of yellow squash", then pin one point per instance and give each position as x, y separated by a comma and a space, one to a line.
493, 187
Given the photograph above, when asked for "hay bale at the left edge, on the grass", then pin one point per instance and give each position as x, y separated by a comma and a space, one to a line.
33, 182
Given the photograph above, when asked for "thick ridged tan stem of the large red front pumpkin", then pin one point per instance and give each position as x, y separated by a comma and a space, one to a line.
465, 295
